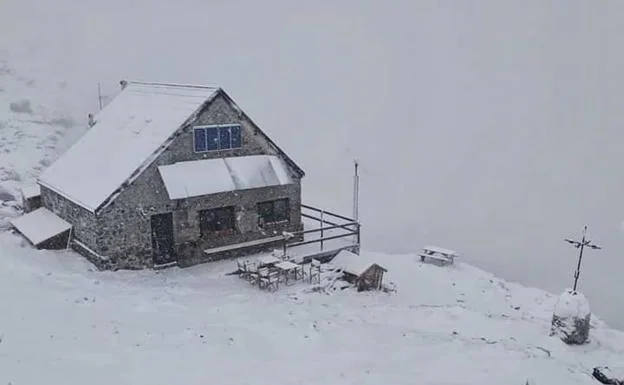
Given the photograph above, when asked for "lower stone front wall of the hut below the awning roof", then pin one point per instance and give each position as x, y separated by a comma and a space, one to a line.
125, 225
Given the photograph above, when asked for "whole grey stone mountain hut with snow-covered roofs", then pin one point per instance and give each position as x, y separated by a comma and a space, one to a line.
167, 174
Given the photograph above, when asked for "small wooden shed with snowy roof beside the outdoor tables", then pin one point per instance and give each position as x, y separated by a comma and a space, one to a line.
359, 270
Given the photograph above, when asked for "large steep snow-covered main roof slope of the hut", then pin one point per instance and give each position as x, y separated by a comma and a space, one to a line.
124, 138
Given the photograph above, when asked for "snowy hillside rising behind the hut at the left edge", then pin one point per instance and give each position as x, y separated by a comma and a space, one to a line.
34, 127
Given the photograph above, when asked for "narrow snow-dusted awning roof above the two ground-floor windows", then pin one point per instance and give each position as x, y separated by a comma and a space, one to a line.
210, 176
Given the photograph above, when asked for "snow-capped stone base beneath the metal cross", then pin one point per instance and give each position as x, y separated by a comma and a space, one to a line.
571, 318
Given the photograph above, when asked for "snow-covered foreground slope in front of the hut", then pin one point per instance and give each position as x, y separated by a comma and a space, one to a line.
197, 325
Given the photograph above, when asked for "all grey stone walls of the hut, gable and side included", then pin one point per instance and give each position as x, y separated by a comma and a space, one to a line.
119, 236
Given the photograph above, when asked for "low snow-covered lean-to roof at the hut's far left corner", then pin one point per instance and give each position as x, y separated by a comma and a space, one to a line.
40, 225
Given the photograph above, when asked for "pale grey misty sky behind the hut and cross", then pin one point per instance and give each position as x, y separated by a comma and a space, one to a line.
490, 127
